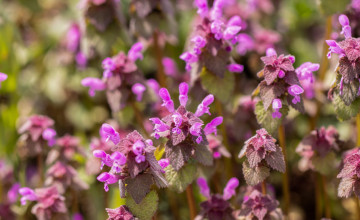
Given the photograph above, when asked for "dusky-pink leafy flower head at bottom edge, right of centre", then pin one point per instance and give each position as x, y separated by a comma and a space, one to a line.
259, 206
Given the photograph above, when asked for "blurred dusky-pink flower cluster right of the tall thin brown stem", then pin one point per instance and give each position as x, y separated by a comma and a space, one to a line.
317, 147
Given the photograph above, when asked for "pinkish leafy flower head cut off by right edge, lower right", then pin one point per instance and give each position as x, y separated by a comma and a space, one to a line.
350, 175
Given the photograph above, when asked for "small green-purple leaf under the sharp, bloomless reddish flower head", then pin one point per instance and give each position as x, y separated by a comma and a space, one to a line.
255, 175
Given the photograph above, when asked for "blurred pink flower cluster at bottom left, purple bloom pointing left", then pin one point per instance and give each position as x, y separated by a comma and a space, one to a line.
48, 201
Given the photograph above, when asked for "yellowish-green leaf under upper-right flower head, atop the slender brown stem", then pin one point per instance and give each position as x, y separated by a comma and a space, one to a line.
265, 119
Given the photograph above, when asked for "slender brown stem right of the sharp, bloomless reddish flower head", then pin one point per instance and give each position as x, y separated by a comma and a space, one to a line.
285, 180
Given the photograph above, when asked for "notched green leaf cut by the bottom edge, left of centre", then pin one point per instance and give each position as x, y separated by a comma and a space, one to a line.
147, 208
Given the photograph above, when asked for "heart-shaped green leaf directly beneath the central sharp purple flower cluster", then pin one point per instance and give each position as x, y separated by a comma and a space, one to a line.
179, 180
